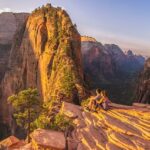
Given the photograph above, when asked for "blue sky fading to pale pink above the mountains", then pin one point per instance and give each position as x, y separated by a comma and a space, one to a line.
122, 22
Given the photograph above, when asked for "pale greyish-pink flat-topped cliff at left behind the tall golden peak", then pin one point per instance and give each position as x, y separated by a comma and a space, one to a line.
9, 24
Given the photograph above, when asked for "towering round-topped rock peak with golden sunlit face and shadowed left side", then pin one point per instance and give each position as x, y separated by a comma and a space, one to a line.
46, 54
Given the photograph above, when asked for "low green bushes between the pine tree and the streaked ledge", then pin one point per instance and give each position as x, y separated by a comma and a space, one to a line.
51, 117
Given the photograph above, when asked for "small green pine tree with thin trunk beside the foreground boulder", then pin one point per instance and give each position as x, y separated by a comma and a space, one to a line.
26, 107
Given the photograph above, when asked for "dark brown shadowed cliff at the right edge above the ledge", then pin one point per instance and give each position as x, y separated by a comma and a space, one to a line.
143, 90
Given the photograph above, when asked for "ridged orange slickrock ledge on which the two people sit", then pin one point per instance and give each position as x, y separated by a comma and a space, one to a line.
120, 128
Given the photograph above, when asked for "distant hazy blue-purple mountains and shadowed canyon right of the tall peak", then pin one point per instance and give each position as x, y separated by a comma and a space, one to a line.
108, 67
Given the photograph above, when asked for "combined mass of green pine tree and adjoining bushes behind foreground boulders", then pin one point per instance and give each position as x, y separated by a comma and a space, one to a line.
30, 113
